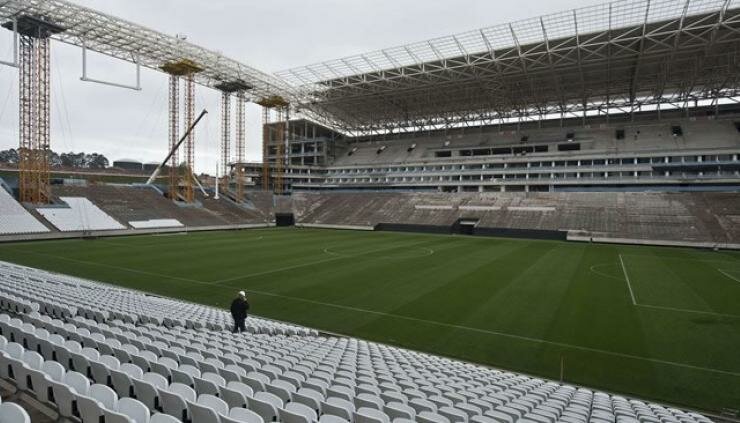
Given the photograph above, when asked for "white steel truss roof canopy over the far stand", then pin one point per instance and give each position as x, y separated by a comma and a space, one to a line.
613, 57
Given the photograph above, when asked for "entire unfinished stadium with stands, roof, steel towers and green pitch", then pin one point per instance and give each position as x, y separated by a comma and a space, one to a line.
534, 222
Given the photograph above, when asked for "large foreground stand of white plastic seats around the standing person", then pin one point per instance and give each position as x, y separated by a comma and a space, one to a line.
107, 358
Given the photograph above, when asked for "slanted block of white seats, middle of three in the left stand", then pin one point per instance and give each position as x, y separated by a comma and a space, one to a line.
81, 215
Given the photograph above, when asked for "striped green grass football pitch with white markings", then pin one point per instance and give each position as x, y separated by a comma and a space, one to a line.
658, 323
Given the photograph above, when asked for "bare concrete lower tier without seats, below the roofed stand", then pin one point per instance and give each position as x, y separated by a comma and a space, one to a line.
698, 217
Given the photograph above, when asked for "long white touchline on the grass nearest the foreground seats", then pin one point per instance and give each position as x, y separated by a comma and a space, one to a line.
432, 322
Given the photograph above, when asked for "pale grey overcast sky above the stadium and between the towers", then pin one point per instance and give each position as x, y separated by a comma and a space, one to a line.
268, 35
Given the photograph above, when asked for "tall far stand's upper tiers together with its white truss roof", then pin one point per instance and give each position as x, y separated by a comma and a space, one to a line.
627, 96
